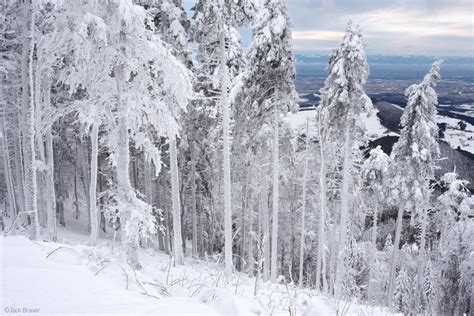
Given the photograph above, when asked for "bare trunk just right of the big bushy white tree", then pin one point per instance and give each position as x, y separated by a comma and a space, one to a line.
177, 238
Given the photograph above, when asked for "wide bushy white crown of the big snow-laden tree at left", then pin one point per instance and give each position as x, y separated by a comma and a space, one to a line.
90, 39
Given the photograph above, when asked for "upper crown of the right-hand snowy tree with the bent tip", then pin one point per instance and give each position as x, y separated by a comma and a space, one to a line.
418, 139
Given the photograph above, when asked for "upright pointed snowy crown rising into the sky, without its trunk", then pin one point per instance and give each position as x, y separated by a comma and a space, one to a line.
343, 95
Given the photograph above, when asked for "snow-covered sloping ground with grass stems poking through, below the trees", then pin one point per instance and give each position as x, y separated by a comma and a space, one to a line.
45, 278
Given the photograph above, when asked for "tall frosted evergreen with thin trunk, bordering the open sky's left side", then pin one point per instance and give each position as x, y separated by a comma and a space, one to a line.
268, 89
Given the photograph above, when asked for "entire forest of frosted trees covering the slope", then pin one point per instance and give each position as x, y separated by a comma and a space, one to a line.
169, 133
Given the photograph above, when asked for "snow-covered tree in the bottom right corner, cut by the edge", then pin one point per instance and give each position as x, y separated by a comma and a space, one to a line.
453, 285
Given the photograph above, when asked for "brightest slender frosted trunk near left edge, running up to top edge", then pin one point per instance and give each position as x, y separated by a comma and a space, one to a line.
29, 118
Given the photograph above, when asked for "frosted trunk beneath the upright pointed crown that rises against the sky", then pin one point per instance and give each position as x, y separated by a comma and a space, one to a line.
346, 184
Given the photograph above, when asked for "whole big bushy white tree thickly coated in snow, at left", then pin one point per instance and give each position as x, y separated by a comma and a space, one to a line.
135, 84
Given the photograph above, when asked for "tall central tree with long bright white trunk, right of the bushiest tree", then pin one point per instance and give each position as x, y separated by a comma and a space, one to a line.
220, 61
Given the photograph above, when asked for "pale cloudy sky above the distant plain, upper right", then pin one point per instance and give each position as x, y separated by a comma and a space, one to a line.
390, 27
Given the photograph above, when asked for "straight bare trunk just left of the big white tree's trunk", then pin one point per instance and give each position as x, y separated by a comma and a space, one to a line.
93, 183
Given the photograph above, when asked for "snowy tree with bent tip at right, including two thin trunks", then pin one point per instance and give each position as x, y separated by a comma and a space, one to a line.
413, 163
